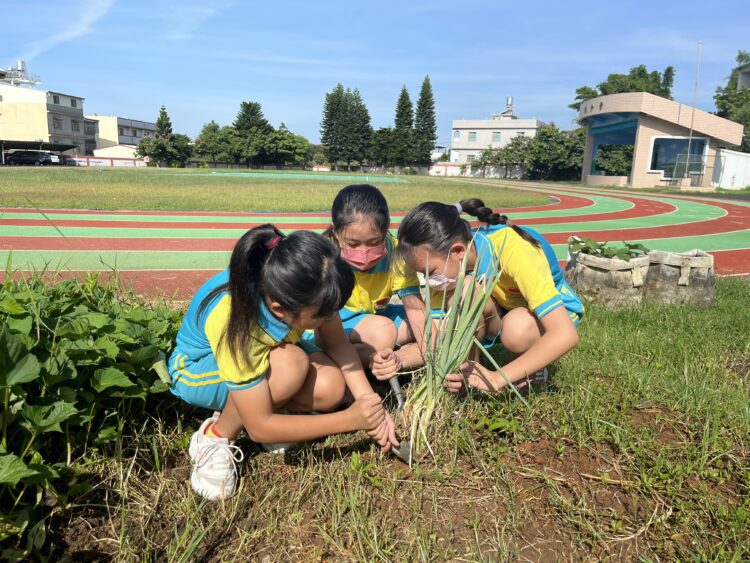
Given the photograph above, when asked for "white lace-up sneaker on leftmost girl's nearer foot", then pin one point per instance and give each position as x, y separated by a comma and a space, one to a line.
214, 474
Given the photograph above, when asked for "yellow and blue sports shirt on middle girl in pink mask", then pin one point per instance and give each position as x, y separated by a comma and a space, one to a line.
374, 288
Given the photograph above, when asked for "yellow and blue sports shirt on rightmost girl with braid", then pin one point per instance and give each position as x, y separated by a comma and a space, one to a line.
531, 276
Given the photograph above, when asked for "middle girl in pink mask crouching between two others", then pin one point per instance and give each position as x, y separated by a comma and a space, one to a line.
360, 223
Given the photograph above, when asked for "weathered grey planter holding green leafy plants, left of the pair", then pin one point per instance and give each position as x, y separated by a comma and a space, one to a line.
611, 282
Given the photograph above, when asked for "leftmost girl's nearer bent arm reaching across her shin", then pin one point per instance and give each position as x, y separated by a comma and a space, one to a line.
255, 410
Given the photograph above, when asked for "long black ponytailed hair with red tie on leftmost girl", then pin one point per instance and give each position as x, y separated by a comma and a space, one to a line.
297, 271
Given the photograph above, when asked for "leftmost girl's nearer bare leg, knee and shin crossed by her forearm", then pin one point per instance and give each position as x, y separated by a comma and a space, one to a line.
288, 359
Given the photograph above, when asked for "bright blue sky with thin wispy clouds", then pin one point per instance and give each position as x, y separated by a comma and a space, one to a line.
201, 59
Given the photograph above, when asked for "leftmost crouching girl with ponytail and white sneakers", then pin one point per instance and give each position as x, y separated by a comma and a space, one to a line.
236, 352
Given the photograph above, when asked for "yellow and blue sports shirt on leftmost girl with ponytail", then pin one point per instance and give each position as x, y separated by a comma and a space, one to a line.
201, 332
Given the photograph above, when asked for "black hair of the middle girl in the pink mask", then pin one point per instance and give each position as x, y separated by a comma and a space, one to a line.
356, 203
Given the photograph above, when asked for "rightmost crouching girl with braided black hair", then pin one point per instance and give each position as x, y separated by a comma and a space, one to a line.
533, 310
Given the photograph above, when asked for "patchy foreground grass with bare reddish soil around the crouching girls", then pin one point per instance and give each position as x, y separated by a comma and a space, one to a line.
640, 451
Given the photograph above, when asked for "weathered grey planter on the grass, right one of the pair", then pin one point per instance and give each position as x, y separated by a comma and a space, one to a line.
680, 278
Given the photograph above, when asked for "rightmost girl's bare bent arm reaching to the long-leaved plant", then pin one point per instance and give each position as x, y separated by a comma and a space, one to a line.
560, 336
